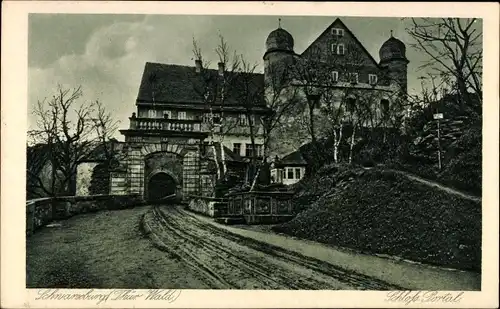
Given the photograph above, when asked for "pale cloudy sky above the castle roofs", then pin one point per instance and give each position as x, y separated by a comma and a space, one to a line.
105, 54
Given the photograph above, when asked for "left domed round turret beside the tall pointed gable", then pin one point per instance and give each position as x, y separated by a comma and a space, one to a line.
279, 54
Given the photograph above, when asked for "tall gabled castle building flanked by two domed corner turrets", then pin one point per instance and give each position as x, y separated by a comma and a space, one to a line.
337, 71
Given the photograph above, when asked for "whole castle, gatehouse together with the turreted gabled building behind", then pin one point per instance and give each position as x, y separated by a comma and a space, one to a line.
175, 138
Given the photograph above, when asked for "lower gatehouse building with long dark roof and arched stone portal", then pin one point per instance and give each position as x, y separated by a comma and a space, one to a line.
182, 138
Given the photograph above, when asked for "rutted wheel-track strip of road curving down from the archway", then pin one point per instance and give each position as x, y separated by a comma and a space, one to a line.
226, 260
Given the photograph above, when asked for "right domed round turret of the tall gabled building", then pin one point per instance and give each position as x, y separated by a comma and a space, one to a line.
393, 59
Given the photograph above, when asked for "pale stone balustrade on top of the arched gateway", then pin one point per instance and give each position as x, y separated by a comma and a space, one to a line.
181, 125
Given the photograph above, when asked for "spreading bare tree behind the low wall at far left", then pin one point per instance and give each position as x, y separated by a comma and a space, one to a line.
70, 132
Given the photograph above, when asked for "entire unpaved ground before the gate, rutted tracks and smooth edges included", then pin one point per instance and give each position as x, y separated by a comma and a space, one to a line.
169, 247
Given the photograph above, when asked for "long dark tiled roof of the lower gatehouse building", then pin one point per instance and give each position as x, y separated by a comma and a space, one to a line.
170, 83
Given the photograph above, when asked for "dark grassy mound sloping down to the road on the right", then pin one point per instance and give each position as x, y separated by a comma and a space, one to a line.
377, 211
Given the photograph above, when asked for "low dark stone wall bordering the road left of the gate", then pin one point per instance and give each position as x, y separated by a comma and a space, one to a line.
40, 212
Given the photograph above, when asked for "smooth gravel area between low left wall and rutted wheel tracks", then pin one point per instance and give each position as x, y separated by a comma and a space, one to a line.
103, 250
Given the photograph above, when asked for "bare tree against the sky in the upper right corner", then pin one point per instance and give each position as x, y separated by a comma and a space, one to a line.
454, 46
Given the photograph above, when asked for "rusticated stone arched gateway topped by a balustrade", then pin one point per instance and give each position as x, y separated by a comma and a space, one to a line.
161, 157
